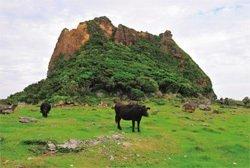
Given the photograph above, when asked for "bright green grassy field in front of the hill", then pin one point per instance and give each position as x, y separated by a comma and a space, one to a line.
168, 138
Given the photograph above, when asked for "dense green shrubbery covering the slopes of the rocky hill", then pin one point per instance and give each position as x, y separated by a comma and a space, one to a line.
136, 71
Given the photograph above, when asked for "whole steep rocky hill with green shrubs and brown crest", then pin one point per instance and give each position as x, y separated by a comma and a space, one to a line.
119, 61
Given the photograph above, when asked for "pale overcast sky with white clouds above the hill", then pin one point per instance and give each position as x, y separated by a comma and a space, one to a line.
216, 34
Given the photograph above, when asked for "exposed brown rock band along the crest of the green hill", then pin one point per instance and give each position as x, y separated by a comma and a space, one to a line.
70, 41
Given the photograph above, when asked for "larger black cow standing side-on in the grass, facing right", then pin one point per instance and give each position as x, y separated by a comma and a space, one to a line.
132, 112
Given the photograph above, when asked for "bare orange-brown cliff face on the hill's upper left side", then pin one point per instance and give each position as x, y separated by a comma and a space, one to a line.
69, 42
